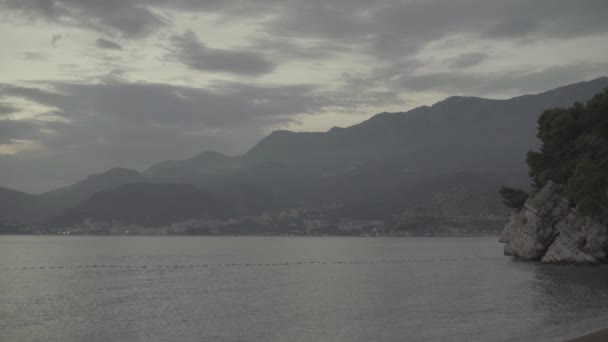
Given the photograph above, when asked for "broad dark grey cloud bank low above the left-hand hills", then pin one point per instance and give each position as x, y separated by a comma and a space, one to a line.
136, 124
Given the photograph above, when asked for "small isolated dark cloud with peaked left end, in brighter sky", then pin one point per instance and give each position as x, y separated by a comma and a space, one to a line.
187, 49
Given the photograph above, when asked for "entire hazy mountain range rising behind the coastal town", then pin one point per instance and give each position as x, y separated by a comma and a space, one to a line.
452, 155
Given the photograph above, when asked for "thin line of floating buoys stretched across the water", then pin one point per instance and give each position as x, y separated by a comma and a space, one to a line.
242, 265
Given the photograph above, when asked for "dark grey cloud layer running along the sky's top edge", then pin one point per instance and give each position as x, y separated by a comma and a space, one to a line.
389, 25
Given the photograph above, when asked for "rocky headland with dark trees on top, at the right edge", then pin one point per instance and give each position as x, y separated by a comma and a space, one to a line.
564, 217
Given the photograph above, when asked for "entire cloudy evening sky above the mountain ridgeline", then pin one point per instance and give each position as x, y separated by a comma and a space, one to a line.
87, 85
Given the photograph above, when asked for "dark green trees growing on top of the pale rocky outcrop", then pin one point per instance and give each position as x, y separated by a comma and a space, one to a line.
574, 152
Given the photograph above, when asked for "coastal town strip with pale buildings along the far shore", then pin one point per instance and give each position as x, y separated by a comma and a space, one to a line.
293, 222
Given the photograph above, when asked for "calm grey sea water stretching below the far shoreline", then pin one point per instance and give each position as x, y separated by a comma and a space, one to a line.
288, 289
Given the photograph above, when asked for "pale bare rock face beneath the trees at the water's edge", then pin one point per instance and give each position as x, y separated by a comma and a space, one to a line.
548, 229
